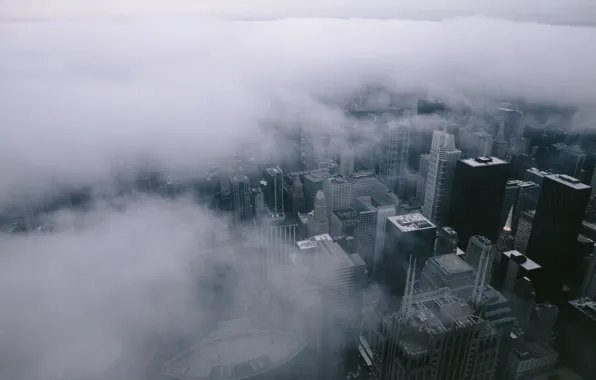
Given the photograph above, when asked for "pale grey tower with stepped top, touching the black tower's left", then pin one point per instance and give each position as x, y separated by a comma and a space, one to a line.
439, 180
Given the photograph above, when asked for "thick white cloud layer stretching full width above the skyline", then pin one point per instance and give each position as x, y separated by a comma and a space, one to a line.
80, 98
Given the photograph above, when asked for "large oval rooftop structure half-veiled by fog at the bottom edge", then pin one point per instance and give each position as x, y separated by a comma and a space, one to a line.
253, 354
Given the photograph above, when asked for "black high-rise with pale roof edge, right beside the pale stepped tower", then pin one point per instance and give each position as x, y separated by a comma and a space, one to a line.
477, 195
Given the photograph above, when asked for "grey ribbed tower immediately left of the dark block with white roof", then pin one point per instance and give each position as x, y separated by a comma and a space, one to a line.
373, 212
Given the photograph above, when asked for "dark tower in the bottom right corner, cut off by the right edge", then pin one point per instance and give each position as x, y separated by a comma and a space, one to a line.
577, 334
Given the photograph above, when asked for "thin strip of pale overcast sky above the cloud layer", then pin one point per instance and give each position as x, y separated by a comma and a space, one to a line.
559, 11
